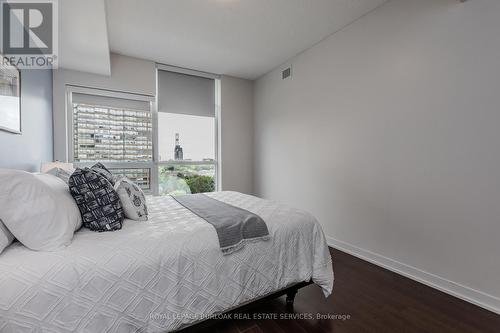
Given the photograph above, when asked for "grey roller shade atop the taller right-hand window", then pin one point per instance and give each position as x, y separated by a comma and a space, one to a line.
186, 94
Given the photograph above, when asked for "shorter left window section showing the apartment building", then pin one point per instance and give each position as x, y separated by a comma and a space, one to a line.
113, 128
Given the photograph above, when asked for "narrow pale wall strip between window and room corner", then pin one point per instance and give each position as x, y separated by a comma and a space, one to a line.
237, 134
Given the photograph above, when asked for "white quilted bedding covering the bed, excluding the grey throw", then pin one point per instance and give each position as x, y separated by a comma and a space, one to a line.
159, 275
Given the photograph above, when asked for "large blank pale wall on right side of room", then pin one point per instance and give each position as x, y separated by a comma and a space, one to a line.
389, 133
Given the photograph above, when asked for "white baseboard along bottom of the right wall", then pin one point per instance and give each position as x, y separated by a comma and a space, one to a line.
470, 295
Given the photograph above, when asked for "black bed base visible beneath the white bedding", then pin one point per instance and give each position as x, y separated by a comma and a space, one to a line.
290, 293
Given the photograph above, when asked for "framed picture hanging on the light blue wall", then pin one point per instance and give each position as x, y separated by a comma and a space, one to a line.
10, 98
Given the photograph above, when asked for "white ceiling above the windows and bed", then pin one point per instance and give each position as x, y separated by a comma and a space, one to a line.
242, 38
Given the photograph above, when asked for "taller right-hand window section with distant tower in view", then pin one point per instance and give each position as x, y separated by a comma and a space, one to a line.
187, 133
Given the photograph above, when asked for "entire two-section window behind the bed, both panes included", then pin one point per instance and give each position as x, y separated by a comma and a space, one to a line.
169, 150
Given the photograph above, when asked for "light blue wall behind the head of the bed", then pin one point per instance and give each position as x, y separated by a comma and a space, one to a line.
27, 150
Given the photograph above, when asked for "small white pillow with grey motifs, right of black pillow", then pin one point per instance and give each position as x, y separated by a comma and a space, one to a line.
132, 199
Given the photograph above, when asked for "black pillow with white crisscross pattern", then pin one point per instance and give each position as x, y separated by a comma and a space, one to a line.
98, 202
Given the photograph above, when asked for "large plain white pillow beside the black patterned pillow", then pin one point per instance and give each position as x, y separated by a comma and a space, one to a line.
38, 209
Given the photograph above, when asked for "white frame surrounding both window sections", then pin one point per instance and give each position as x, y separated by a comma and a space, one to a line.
155, 162
